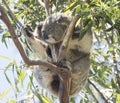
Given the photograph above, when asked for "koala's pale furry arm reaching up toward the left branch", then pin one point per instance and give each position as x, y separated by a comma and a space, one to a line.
36, 44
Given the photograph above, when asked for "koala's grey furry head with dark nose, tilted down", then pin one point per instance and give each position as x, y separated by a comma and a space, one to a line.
54, 27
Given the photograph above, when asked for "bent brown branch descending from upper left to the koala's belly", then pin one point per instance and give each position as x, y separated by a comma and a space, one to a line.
6, 20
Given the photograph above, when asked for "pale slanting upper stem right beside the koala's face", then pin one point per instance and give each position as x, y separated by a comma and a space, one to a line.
64, 45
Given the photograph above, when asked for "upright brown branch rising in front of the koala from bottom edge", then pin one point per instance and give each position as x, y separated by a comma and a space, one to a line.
66, 80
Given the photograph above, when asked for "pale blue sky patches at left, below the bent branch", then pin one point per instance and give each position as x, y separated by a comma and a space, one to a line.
10, 52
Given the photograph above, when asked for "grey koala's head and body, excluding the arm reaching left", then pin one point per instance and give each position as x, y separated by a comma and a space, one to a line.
52, 30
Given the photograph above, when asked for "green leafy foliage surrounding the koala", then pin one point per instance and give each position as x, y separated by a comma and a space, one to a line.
103, 16
